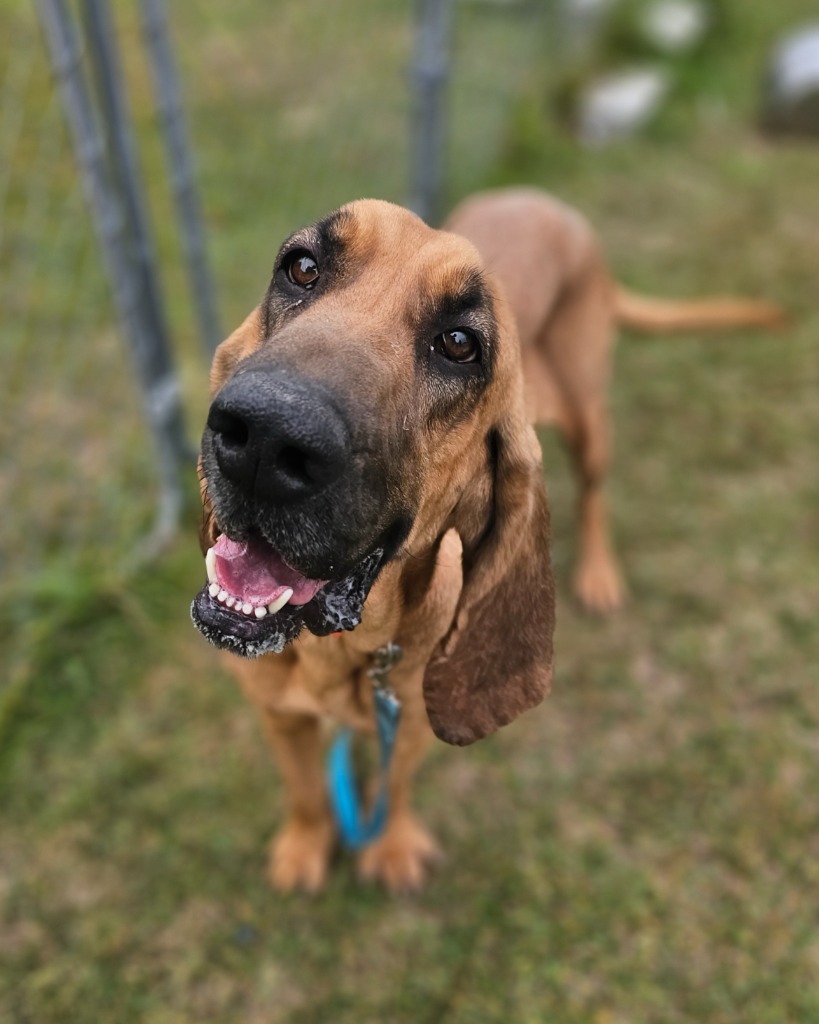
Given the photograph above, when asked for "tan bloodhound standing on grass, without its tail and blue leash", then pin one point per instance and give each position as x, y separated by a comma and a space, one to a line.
371, 476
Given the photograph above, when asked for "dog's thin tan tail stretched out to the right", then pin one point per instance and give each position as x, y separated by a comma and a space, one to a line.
646, 314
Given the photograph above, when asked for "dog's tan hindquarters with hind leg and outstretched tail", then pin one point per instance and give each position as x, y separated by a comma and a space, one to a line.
567, 307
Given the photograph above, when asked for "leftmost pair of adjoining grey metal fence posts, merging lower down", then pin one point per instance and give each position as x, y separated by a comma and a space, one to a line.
123, 237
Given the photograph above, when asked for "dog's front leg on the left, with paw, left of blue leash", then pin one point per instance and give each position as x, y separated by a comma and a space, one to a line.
301, 851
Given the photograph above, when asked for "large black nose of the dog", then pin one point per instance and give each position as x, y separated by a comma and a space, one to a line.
278, 438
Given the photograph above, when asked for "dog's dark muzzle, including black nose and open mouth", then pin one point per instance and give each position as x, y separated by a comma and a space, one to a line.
275, 451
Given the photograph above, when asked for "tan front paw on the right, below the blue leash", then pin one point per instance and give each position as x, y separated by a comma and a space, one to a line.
401, 858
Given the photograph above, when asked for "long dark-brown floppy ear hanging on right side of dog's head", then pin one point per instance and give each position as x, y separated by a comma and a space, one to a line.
496, 662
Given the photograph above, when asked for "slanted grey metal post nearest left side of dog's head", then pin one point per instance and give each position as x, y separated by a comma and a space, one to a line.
169, 105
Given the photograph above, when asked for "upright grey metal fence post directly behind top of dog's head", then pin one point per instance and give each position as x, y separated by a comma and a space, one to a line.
429, 75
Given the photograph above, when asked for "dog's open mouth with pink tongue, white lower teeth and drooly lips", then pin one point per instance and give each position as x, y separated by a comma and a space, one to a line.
254, 604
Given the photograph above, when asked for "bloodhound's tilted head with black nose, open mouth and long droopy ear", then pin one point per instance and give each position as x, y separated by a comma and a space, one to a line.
372, 403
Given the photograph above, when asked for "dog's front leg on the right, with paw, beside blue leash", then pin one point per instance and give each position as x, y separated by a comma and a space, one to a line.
402, 855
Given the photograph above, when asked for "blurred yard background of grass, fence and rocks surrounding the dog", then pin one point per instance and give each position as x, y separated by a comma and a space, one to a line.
644, 847
